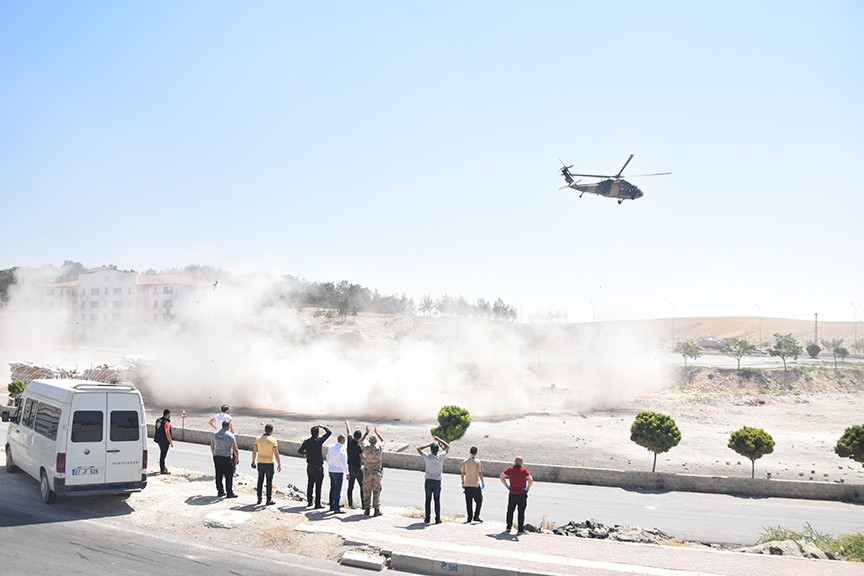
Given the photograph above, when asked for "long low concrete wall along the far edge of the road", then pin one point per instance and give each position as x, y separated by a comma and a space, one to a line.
634, 480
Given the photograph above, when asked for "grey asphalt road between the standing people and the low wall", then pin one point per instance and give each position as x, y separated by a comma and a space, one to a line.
686, 515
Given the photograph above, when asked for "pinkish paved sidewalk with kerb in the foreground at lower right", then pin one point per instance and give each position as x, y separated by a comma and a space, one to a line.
485, 549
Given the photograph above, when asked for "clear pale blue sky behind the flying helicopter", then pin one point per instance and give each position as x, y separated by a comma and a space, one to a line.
413, 147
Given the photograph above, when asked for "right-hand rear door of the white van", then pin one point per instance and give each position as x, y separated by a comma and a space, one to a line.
126, 439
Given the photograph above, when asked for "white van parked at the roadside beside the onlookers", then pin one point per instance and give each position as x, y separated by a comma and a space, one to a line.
79, 437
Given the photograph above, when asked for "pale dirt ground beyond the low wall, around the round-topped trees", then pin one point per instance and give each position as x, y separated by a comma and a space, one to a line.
805, 411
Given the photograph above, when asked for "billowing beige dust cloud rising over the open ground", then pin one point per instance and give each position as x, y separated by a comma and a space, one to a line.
238, 345
